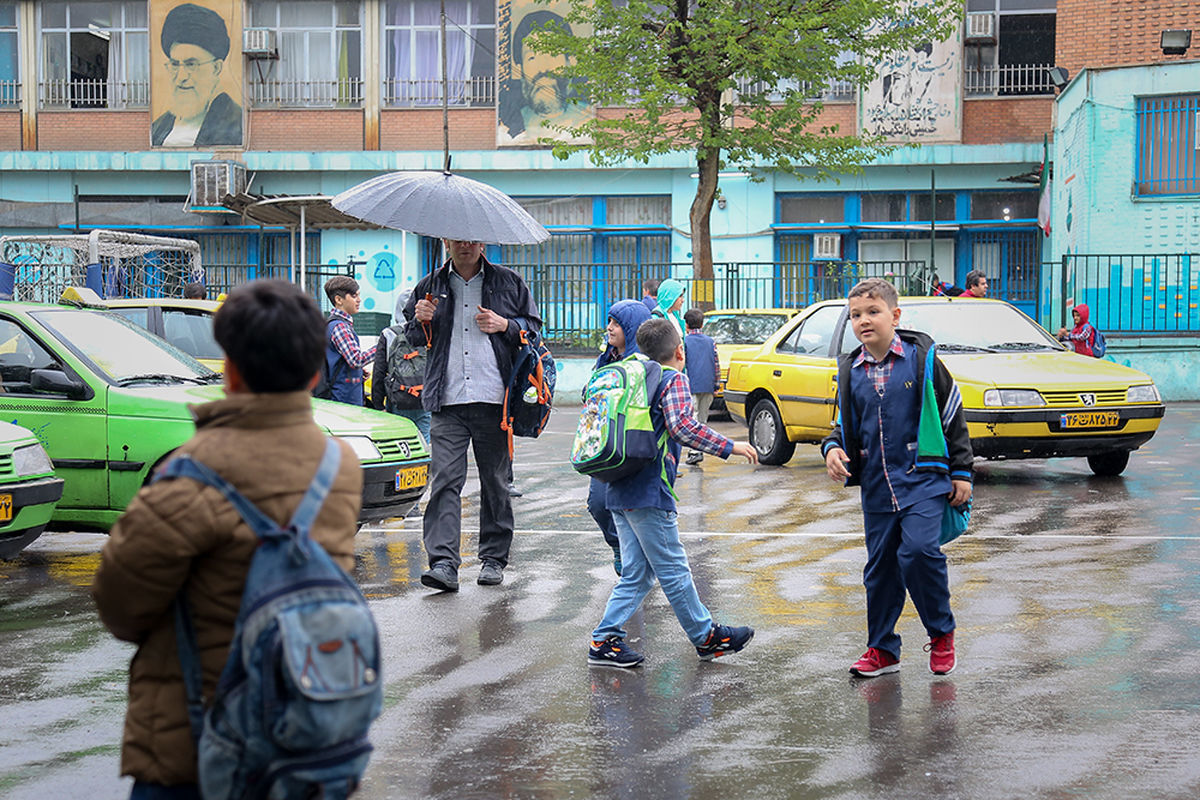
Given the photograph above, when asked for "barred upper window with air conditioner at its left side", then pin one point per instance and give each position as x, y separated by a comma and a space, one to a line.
321, 55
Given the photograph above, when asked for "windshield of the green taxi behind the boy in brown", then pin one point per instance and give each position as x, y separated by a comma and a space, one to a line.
121, 352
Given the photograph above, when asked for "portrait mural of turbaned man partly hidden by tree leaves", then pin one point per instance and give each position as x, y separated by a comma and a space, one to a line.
531, 101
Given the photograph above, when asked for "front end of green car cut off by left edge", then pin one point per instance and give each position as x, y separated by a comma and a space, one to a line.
28, 490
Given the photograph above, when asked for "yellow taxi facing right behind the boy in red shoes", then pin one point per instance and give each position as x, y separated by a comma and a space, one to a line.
1024, 394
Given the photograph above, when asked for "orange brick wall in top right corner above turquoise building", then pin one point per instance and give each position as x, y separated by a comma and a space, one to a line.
1107, 33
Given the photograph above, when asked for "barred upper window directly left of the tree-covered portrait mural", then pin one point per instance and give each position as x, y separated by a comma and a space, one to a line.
413, 49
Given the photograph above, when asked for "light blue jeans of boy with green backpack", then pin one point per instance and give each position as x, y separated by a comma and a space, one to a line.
650, 550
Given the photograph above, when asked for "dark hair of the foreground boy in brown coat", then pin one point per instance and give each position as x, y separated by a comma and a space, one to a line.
274, 334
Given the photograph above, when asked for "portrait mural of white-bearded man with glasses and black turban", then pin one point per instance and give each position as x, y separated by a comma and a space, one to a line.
196, 94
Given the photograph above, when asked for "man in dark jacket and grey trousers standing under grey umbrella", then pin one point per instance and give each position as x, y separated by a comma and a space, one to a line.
473, 312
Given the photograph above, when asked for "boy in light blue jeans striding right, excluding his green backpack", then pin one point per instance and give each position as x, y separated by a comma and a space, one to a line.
644, 509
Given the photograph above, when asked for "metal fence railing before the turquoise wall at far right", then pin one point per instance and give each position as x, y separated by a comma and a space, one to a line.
1126, 294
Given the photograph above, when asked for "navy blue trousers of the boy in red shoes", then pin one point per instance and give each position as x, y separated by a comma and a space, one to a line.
903, 555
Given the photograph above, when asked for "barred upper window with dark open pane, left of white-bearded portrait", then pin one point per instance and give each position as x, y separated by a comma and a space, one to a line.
94, 55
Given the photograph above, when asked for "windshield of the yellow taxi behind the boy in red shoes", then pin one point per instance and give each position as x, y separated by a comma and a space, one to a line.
971, 327
